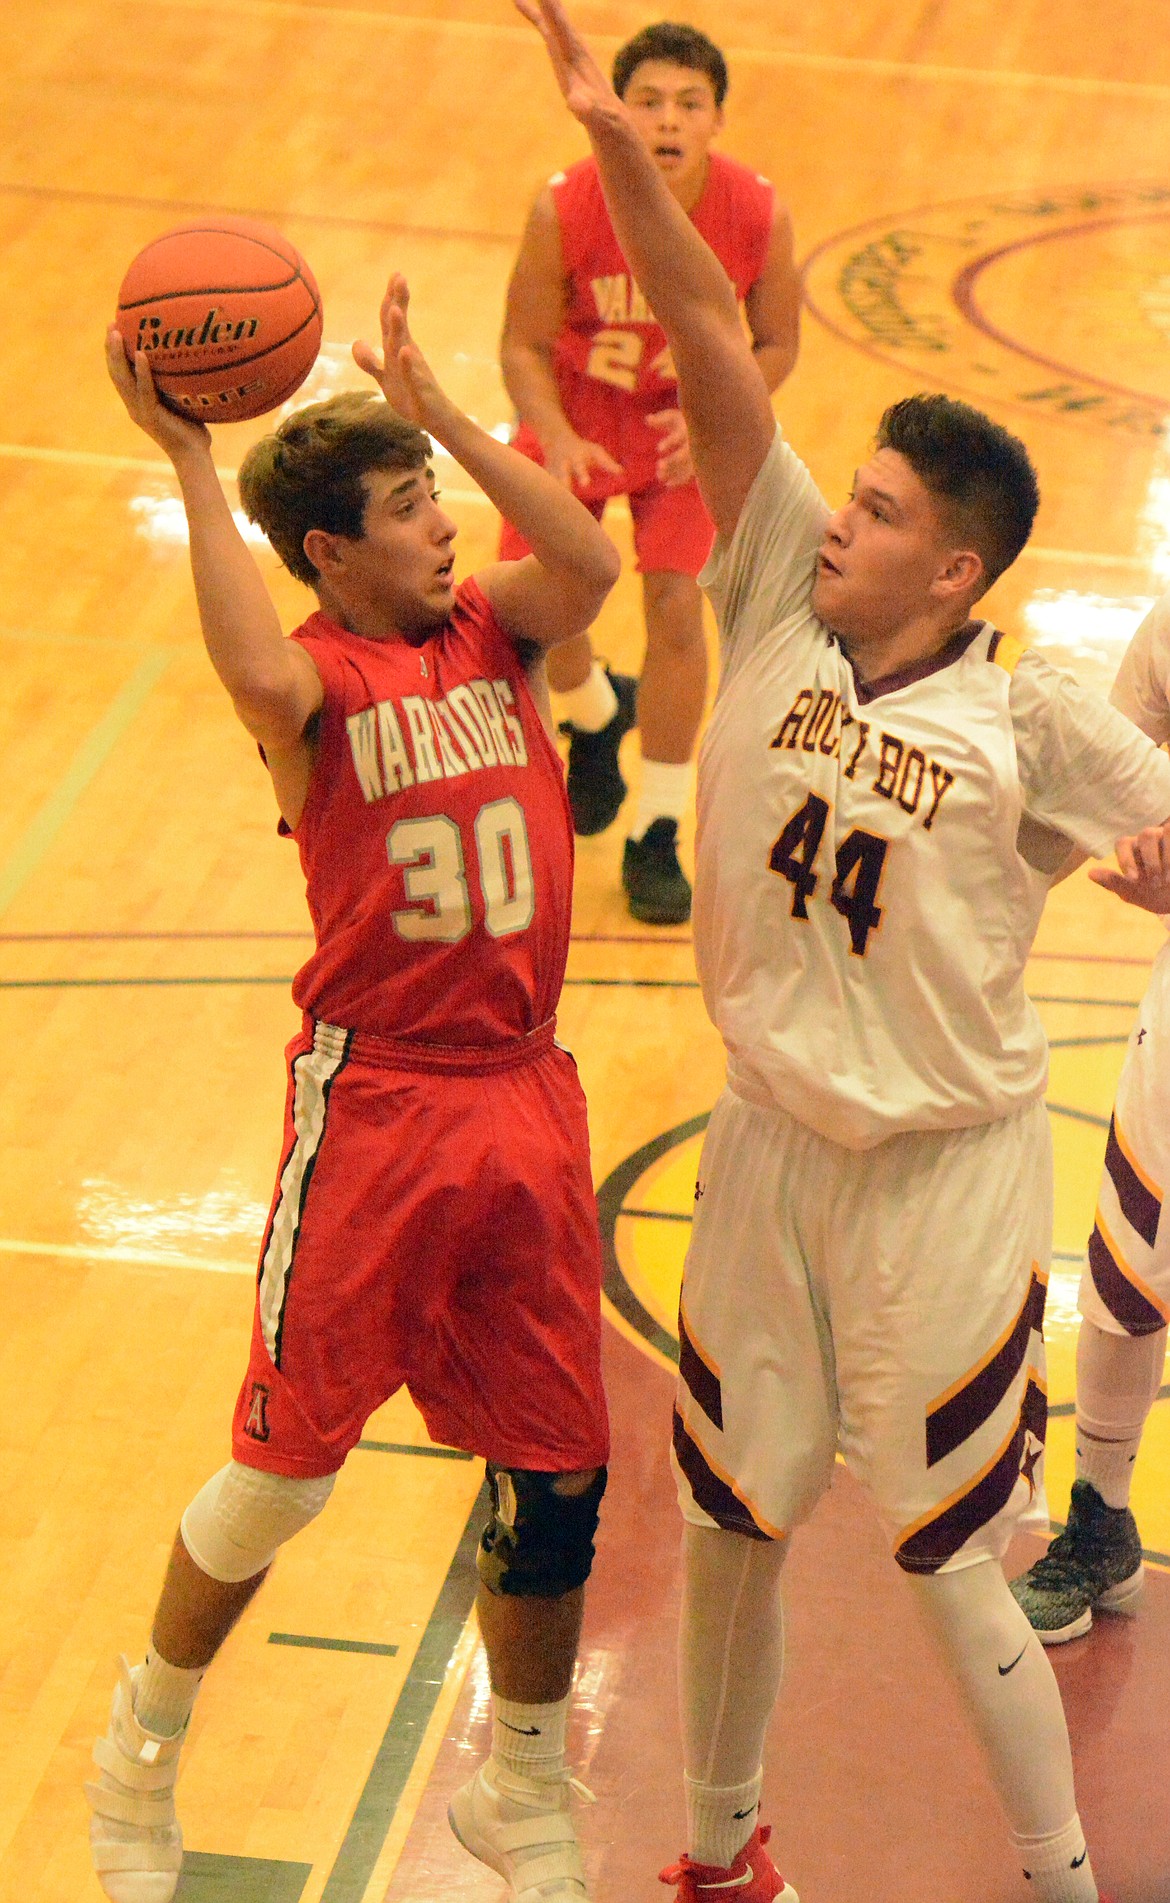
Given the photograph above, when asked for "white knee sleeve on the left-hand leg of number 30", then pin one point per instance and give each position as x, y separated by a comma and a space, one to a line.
243, 1516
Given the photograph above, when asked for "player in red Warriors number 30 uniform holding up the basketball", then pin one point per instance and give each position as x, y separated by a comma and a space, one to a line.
435, 1219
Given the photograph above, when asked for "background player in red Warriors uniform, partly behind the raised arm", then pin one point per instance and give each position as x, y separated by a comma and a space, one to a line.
596, 393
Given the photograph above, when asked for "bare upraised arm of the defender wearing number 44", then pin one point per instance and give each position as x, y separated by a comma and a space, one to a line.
722, 391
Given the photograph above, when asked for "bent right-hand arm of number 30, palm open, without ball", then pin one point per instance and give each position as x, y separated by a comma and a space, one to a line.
558, 589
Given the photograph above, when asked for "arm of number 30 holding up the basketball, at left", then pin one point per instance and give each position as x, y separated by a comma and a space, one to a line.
273, 682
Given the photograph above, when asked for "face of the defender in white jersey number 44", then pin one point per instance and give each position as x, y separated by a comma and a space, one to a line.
882, 557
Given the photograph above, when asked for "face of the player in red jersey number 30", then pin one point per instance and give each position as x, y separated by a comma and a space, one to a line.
404, 560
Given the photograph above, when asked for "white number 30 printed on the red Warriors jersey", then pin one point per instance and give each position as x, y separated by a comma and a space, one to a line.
437, 880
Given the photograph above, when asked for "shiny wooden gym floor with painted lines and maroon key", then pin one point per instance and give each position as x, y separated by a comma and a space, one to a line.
983, 199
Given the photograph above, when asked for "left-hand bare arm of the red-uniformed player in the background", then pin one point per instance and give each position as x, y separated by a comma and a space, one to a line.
534, 319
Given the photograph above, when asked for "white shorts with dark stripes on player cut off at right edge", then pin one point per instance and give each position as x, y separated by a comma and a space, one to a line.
1125, 1287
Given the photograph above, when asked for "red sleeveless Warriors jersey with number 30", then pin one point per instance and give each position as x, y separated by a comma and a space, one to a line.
437, 840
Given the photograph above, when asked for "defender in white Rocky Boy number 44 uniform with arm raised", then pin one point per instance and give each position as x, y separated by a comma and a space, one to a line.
884, 806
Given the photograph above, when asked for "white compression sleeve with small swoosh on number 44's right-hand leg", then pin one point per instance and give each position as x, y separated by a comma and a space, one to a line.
1013, 1700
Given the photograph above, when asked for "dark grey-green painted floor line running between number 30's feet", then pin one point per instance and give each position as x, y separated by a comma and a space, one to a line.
395, 1761
